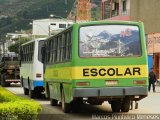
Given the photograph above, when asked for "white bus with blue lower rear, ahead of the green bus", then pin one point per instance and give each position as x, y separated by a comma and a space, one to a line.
31, 70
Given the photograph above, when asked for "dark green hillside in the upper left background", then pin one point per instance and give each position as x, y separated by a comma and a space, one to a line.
17, 14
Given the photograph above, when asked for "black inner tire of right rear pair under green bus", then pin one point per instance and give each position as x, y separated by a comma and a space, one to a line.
116, 106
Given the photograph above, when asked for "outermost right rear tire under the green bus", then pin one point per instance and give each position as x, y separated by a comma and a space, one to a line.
125, 104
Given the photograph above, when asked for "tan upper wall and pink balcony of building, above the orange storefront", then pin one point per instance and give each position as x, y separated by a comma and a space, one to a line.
135, 10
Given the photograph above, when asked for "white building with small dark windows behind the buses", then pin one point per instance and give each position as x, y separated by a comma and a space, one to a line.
47, 27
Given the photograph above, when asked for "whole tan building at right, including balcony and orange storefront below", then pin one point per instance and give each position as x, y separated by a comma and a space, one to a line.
139, 10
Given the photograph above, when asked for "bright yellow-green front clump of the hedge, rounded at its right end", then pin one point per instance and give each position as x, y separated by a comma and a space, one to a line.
21, 110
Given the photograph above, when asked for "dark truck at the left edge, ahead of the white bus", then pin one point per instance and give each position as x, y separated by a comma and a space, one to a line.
9, 69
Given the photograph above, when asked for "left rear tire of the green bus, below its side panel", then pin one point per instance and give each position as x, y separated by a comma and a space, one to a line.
66, 107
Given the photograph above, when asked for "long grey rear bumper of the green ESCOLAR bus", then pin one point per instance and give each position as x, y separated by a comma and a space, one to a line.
110, 91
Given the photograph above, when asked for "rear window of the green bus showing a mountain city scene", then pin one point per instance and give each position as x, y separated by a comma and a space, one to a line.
109, 41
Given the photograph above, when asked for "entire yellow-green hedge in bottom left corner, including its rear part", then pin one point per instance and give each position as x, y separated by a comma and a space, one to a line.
15, 108
